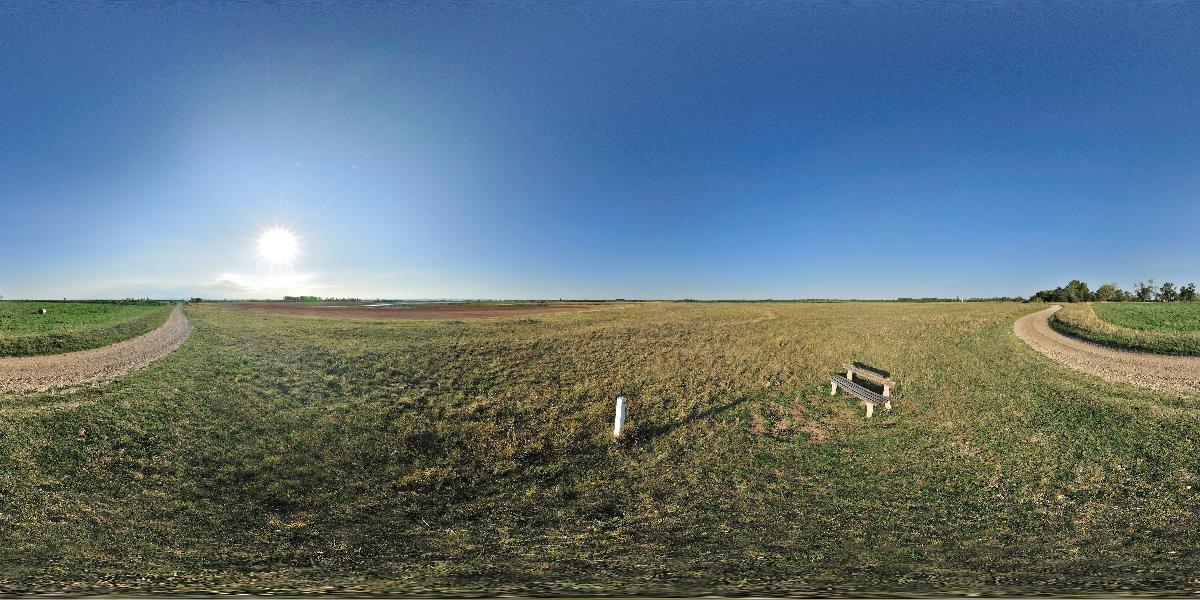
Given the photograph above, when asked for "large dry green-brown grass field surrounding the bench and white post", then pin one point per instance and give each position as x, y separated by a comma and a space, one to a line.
305, 454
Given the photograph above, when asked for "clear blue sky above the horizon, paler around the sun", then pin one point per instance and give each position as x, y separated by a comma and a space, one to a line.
709, 151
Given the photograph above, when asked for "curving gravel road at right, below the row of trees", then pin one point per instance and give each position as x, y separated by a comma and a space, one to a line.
1178, 375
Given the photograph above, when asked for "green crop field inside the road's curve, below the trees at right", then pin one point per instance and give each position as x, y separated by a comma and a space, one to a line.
1147, 327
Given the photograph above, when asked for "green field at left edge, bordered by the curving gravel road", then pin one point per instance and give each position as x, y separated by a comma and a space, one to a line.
69, 327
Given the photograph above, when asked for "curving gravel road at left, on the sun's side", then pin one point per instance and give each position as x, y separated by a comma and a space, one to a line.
22, 375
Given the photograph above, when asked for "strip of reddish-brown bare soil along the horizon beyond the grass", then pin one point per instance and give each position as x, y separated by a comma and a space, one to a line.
413, 310
